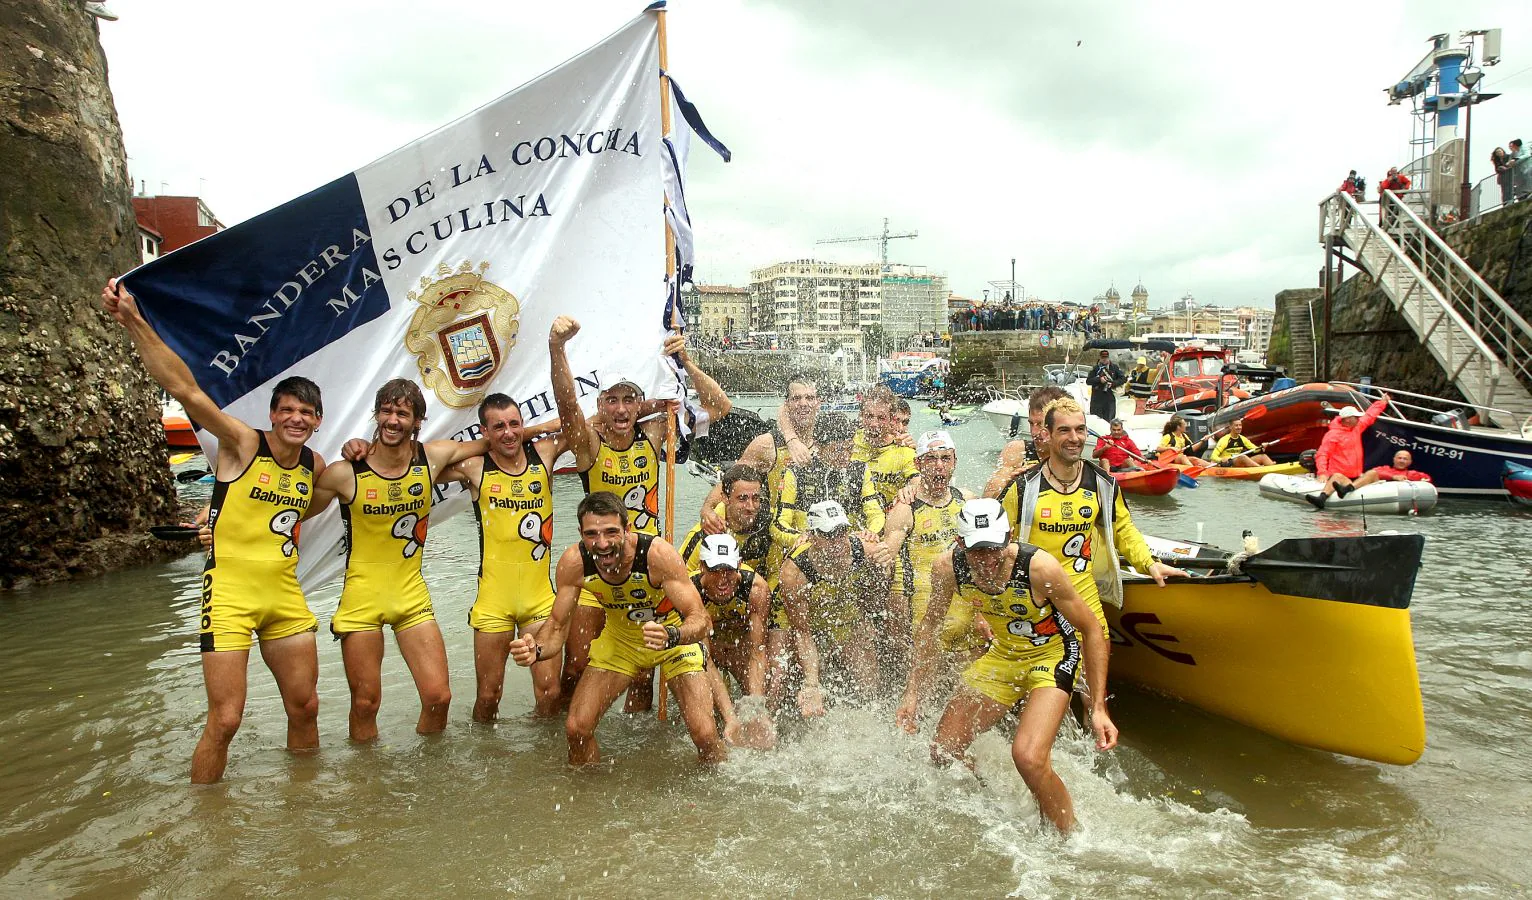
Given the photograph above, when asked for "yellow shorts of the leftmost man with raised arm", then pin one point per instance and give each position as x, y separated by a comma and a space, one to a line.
243, 599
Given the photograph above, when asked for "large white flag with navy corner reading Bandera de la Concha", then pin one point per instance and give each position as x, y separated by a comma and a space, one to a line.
445, 263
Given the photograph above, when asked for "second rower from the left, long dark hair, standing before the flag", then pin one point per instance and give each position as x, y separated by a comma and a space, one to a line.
387, 510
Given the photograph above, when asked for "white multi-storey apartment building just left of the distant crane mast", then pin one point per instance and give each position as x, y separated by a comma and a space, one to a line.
808, 304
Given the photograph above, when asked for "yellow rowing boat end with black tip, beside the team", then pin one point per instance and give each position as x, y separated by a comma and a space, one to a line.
1334, 672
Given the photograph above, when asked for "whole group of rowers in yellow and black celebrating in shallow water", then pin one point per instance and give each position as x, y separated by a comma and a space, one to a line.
834, 563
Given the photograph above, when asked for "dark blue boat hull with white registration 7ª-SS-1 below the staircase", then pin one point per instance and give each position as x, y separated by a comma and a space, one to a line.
1461, 462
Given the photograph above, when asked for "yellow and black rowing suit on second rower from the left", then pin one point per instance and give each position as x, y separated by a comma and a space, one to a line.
387, 524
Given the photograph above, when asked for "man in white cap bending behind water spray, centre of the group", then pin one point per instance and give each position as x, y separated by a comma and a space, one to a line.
834, 600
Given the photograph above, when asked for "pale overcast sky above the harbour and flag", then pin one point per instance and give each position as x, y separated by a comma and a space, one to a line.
1182, 143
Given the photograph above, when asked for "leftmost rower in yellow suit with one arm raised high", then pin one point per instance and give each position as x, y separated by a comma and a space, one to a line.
250, 582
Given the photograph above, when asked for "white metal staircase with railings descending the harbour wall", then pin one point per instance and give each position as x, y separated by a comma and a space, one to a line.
1473, 333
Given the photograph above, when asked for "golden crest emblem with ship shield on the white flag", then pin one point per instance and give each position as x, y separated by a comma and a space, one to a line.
462, 333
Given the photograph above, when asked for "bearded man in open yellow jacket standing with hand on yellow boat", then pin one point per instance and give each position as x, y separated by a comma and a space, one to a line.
1075, 511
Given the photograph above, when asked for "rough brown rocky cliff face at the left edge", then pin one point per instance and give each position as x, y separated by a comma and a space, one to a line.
82, 459
